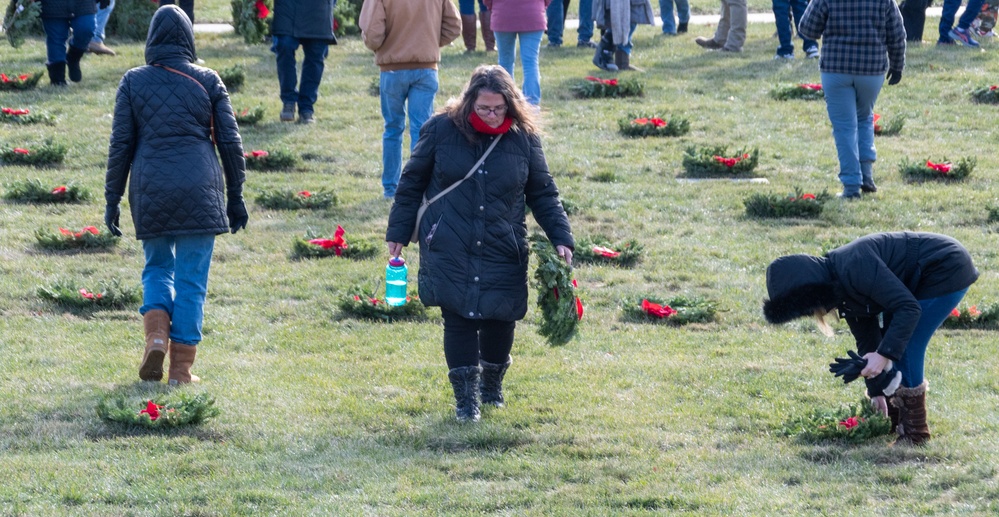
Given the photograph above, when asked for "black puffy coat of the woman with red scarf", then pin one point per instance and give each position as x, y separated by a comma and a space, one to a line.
473, 241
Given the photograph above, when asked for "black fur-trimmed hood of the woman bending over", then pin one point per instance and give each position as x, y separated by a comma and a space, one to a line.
798, 285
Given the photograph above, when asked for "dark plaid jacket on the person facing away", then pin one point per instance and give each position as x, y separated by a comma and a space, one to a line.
860, 37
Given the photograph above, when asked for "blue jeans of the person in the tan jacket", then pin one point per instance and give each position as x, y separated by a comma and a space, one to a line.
402, 91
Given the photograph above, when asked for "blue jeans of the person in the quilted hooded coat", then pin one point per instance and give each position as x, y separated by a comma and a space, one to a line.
175, 279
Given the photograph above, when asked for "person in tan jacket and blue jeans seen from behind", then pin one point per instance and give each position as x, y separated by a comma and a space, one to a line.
406, 36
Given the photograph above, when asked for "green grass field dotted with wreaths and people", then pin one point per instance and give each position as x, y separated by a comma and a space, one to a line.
324, 415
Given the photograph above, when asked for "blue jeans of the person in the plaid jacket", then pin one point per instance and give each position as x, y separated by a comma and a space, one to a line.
850, 103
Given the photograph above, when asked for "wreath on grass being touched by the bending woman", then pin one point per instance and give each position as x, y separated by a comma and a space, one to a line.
854, 423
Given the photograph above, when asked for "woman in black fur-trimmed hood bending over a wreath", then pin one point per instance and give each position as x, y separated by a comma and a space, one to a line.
894, 290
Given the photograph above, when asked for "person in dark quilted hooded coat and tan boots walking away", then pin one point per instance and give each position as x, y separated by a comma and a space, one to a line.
169, 117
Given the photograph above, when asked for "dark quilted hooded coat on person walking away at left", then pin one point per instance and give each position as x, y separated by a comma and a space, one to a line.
161, 141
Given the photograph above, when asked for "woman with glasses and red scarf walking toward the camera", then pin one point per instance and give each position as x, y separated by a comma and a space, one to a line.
473, 240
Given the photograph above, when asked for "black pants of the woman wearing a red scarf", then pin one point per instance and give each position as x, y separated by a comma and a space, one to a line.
493, 337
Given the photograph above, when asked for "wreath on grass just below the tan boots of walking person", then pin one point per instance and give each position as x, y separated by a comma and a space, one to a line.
174, 409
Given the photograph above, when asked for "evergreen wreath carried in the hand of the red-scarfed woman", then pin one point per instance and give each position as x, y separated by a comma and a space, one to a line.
561, 309
